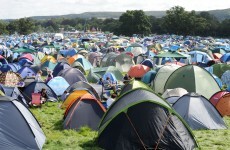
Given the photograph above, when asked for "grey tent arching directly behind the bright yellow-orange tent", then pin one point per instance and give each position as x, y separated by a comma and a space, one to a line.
81, 85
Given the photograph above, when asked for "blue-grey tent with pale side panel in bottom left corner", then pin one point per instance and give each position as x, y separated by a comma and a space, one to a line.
19, 130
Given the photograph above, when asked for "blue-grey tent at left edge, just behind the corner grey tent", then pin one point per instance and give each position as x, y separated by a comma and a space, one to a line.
14, 93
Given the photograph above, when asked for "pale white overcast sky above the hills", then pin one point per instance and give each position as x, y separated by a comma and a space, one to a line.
12, 9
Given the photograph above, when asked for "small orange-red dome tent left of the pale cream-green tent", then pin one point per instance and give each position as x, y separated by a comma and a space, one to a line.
137, 71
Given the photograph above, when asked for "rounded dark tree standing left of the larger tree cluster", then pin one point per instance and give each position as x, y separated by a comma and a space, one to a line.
134, 22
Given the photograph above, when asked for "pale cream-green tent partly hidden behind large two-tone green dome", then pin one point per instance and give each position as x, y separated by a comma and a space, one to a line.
161, 77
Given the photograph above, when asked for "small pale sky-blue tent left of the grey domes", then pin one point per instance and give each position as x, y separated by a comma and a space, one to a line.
58, 85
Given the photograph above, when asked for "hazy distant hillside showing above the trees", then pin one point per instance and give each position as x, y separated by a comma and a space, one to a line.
220, 14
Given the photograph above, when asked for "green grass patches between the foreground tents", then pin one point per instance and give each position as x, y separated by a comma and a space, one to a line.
50, 118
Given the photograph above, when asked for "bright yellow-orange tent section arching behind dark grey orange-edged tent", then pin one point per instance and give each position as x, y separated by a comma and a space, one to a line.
72, 97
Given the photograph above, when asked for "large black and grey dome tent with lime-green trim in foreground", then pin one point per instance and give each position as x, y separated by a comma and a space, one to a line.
124, 127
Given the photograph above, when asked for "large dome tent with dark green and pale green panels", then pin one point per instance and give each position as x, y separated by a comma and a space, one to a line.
193, 79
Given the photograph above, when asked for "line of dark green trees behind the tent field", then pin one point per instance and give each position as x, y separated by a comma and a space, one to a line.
176, 21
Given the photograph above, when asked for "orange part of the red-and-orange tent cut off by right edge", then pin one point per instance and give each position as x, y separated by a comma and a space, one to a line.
223, 105
